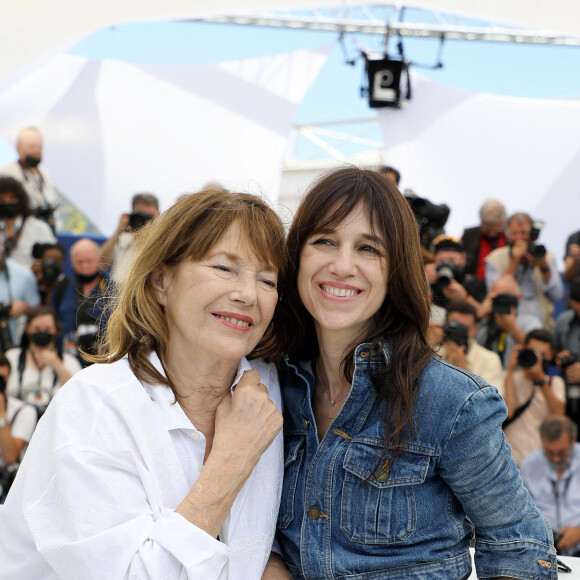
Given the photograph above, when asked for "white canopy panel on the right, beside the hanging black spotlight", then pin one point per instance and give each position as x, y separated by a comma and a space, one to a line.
462, 148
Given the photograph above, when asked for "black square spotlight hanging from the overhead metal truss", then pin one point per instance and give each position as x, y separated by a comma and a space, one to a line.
388, 81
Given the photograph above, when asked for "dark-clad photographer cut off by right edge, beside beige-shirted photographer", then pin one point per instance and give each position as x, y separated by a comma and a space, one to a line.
567, 344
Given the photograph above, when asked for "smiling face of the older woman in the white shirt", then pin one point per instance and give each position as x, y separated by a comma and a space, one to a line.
220, 305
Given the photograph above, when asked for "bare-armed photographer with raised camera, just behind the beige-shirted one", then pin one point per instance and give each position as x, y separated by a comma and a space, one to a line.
503, 325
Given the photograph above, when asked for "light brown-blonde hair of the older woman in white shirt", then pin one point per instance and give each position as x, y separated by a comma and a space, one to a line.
186, 231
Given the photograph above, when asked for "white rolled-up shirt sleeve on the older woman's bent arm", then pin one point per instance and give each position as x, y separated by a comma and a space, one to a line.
91, 518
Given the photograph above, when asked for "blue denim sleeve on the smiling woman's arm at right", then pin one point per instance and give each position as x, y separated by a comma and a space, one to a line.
512, 538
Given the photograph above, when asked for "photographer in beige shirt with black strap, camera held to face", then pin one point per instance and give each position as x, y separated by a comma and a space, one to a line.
530, 394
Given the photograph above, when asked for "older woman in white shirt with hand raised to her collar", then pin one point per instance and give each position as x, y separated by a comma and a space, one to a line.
165, 461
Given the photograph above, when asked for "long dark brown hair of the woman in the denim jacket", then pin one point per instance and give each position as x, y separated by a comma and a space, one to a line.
403, 319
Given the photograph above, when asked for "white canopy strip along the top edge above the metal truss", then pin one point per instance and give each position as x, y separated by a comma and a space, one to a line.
35, 30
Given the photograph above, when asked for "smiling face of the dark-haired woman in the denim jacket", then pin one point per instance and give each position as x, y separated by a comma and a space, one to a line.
342, 278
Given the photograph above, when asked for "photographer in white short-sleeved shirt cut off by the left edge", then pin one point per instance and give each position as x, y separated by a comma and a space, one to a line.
17, 423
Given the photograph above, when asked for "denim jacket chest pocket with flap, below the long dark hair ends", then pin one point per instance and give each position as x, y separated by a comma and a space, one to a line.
380, 509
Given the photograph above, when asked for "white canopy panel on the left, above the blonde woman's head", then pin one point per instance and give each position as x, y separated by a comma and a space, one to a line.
113, 129
